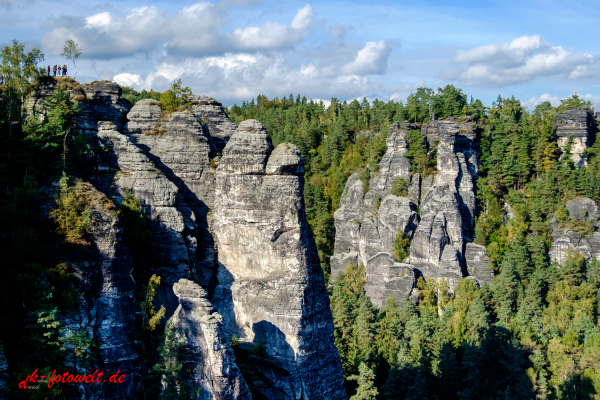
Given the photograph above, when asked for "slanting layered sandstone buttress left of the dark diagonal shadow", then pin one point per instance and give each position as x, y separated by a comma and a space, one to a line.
124, 167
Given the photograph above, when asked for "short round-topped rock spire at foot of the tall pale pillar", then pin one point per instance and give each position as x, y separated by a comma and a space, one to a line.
199, 328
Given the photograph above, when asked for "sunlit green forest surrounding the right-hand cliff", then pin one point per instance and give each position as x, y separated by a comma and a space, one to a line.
534, 331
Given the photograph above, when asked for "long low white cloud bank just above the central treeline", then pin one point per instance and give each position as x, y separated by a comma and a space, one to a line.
232, 77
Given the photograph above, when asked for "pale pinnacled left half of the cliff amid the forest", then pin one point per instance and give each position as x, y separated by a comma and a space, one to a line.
367, 223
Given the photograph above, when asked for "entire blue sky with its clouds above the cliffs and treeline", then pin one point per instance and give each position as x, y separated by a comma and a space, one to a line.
234, 50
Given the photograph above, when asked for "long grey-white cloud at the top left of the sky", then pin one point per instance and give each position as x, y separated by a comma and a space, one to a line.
194, 30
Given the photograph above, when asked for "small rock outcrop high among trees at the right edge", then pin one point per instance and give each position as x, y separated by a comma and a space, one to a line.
579, 125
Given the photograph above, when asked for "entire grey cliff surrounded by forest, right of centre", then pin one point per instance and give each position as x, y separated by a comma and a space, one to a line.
367, 224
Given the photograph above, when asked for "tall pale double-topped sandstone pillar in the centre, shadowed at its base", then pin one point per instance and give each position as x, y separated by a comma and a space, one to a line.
271, 286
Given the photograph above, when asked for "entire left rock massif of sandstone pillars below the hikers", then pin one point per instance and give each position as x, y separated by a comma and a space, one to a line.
235, 236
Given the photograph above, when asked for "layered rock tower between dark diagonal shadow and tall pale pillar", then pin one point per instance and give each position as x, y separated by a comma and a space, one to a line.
179, 147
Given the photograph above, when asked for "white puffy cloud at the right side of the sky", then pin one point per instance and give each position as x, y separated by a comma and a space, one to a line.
520, 61
